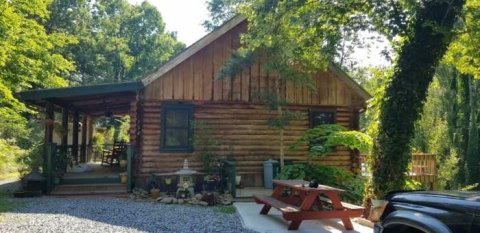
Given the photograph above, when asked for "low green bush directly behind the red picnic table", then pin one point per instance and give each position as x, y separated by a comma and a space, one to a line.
331, 176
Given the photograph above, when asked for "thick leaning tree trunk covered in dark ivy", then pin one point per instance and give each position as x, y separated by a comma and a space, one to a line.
404, 96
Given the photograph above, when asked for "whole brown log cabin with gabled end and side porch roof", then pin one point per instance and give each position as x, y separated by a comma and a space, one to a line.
165, 103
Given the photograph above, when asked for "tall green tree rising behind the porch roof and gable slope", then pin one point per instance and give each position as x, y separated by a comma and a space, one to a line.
117, 41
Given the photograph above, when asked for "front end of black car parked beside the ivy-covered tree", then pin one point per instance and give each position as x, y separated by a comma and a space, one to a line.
431, 212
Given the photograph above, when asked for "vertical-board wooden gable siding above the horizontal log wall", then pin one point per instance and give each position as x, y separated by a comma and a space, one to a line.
190, 76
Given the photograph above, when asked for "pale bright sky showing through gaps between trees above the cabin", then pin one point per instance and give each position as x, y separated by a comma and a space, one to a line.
186, 16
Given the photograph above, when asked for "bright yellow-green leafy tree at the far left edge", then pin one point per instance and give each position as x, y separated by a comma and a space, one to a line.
29, 58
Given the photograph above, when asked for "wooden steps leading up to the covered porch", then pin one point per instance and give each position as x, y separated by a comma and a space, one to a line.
89, 189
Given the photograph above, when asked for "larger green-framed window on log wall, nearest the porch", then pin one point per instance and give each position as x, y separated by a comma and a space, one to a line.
177, 130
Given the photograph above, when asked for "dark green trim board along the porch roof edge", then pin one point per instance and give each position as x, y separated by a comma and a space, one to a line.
79, 91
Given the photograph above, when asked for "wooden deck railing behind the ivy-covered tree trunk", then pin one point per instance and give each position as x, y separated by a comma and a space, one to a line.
423, 168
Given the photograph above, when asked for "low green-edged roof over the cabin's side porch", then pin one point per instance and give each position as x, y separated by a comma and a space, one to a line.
94, 100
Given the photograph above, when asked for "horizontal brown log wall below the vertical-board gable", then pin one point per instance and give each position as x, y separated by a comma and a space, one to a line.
243, 134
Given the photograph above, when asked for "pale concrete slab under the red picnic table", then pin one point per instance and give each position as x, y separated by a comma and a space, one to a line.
274, 223
